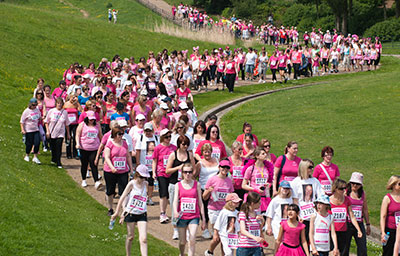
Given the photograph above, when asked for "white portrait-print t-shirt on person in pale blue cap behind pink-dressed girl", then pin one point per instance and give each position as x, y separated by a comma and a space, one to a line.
276, 208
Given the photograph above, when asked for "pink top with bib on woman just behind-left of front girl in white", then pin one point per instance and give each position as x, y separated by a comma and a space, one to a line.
118, 157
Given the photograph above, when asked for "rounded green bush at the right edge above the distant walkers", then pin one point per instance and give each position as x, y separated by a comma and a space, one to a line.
388, 30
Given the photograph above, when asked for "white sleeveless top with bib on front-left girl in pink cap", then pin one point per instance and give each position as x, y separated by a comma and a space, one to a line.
137, 200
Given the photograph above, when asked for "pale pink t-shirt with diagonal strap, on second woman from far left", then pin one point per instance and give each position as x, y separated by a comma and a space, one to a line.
57, 120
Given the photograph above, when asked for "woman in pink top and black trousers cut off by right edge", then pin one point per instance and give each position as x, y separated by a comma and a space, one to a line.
390, 214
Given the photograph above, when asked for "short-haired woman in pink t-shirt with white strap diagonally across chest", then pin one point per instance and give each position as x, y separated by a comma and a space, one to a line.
326, 172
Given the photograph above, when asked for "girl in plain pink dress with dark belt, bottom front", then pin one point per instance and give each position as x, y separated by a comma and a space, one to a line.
291, 230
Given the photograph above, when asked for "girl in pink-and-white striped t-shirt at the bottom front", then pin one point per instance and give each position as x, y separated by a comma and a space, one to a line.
251, 235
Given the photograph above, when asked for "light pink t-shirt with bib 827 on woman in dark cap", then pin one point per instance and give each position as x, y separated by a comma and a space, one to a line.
222, 187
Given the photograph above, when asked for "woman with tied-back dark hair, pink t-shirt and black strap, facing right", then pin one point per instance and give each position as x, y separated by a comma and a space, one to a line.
287, 165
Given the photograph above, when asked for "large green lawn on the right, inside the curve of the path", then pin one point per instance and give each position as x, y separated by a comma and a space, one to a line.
356, 114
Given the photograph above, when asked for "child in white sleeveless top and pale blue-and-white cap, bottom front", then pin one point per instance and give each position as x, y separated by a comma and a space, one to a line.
320, 223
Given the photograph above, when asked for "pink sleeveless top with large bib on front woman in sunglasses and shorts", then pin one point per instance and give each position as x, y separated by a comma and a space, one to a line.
188, 202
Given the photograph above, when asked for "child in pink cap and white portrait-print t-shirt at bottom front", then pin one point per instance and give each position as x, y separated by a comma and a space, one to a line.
227, 225
